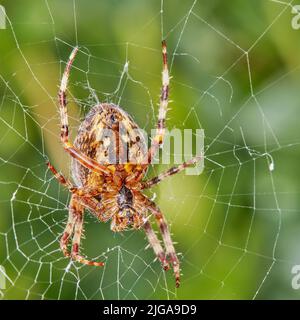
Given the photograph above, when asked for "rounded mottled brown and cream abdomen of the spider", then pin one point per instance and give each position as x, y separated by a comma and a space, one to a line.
111, 137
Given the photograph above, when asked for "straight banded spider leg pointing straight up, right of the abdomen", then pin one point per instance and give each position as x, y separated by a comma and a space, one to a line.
163, 107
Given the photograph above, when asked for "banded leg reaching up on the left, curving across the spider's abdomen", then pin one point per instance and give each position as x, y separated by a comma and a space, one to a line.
68, 146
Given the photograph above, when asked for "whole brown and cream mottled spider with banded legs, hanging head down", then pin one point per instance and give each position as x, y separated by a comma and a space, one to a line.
114, 191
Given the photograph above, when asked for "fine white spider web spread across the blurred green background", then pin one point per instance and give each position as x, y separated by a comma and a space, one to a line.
235, 74
